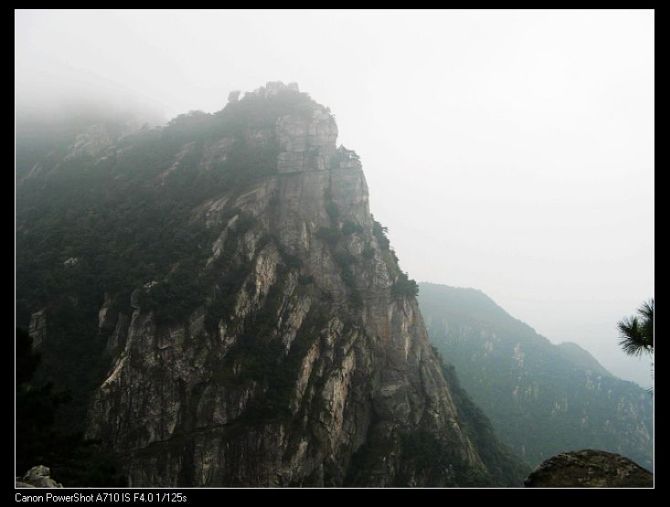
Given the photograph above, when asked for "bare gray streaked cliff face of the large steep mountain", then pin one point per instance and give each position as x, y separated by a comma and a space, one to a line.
313, 374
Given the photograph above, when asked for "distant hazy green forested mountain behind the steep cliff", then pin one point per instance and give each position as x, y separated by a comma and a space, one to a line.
542, 399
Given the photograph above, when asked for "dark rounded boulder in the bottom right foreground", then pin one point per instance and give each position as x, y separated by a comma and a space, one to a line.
590, 469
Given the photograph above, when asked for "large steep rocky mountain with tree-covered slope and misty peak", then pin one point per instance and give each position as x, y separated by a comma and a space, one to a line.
225, 311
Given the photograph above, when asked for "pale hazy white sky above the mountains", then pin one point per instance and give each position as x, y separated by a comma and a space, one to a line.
510, 151
